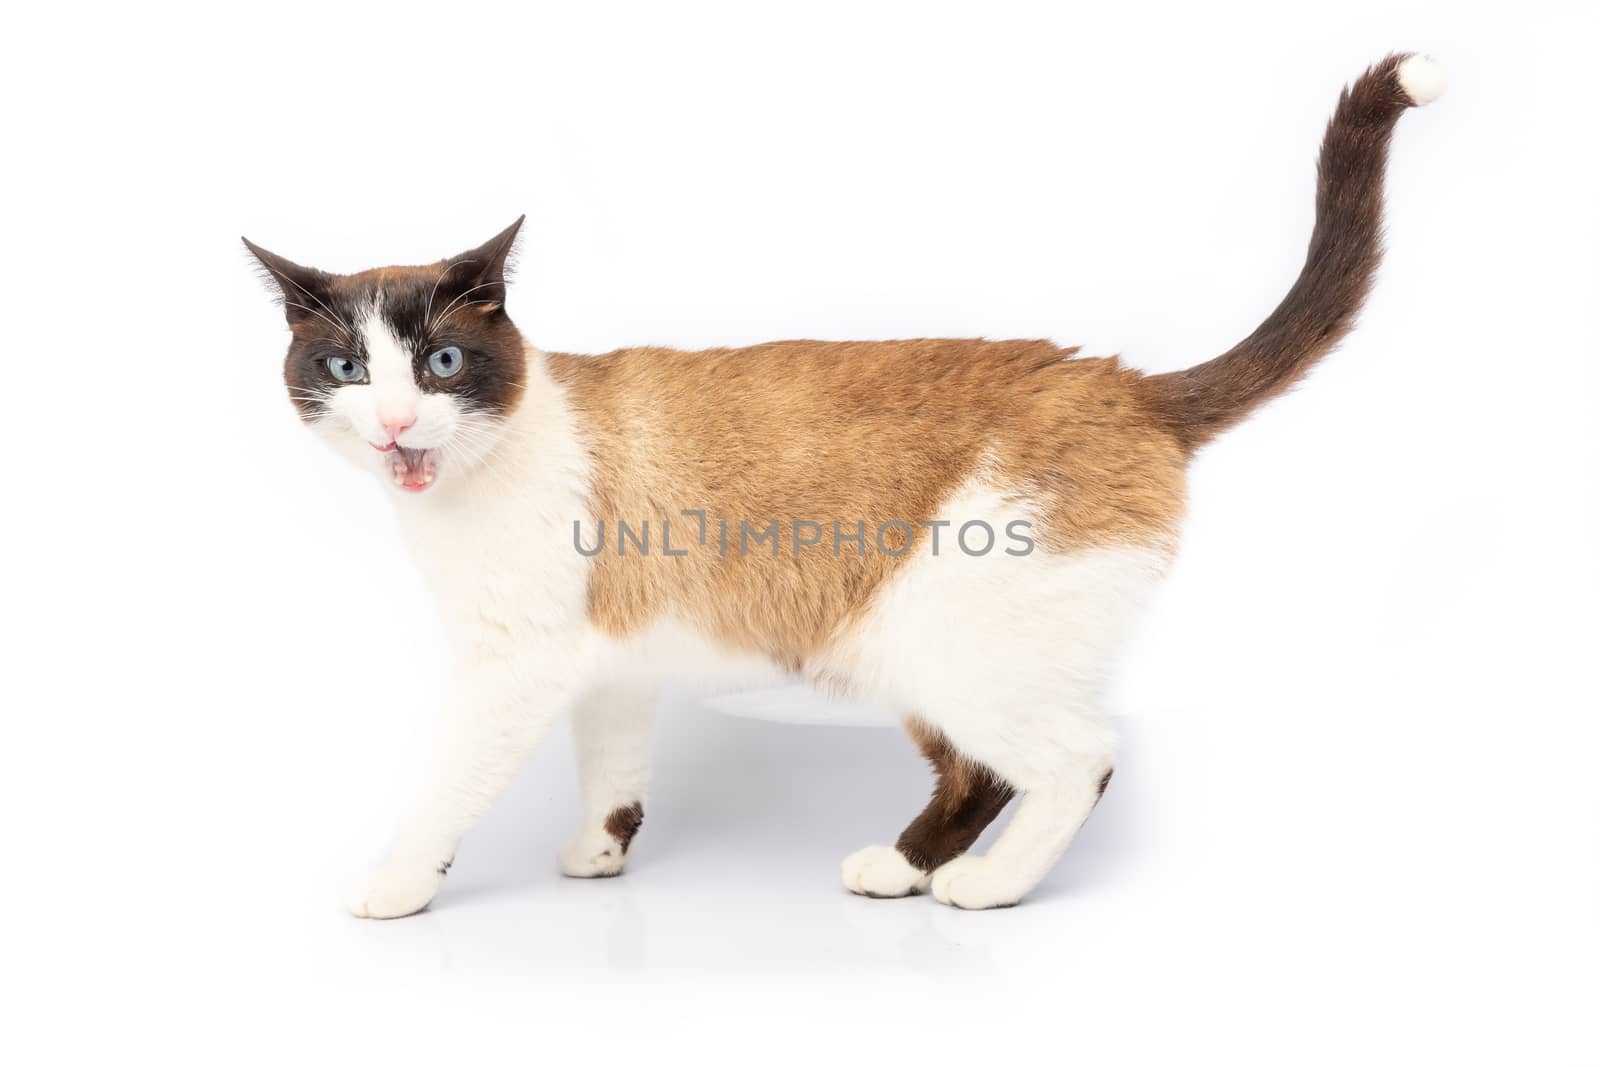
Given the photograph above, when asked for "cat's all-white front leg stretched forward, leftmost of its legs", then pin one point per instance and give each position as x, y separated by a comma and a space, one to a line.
505, 708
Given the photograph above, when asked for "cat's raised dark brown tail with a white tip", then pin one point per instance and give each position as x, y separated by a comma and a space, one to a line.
1345, 250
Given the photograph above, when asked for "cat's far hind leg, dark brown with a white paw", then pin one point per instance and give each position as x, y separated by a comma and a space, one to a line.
966, 801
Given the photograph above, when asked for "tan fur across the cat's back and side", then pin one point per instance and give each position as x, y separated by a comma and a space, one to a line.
852, 431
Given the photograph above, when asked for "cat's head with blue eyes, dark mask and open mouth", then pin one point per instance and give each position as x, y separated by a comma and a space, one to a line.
410, 372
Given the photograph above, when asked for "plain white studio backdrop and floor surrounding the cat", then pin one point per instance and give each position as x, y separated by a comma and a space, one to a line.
1358, 813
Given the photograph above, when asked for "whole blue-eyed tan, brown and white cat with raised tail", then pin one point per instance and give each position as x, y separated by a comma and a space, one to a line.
962, 530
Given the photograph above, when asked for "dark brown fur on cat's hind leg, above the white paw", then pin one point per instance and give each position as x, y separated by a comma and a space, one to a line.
967, 797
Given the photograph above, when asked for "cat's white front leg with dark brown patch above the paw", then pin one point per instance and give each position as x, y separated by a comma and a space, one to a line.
612, 729
